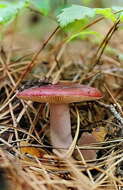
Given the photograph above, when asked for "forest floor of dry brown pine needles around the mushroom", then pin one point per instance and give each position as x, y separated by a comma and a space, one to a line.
26, 157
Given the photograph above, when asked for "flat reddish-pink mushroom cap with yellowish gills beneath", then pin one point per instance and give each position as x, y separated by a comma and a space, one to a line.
60, 93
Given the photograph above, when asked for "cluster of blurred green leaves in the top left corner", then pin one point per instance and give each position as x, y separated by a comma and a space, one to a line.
9, 10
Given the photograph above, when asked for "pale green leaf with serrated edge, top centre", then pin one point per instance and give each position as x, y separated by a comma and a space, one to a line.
73, 13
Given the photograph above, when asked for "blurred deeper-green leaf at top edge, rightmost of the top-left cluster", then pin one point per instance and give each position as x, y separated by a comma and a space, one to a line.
43, 6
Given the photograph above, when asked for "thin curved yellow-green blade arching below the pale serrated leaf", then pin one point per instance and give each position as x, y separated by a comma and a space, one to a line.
82, 35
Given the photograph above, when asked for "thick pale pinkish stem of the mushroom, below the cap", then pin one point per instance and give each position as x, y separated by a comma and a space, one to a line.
60, 126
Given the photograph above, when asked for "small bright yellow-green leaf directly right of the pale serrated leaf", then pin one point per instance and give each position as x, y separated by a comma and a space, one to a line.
106, 12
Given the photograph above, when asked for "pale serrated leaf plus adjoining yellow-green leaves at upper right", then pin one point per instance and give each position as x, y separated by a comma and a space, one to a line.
76, 12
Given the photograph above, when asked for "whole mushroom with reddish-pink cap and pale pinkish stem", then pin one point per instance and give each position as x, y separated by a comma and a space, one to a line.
59, 96
